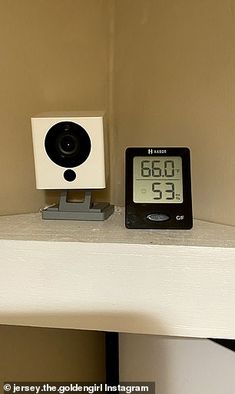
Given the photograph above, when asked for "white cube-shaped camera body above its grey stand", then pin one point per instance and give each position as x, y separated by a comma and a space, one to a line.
69, 150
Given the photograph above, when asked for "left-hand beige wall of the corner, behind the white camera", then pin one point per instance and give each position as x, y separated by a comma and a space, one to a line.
53, 56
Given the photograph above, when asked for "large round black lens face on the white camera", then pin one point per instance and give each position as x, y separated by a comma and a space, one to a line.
67, 144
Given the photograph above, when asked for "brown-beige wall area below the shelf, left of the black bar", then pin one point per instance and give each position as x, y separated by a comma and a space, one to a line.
44, 354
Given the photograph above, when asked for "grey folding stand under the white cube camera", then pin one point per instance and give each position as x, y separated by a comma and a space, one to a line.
85, 210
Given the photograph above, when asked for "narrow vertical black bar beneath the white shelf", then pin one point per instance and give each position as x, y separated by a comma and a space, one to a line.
112, 358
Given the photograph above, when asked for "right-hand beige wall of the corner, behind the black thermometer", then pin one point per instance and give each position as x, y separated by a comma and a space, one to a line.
174, 85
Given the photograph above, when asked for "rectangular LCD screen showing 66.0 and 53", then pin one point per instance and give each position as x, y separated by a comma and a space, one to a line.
157, 179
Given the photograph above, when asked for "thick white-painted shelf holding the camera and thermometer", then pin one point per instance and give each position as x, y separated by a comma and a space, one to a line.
101, 276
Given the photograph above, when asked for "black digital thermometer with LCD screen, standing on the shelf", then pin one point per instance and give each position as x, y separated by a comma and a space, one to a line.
158, 188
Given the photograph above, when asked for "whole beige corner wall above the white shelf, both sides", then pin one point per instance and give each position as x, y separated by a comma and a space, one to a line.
162, 70
